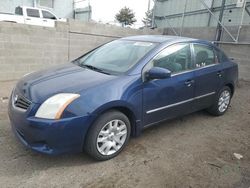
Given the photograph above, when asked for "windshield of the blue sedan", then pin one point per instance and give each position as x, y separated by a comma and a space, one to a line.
115, 57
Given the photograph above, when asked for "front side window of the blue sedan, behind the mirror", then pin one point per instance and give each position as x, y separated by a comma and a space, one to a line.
176, 58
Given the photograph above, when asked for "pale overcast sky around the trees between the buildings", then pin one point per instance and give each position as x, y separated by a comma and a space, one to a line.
105, 10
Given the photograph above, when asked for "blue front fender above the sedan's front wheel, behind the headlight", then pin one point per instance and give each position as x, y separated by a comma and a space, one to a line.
125, 93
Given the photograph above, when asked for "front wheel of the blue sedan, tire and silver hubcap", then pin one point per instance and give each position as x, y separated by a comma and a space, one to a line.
108, 135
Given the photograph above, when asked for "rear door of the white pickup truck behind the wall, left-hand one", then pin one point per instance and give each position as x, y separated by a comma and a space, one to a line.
33, 17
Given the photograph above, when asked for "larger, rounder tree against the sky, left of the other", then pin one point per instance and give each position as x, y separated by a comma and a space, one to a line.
125, 16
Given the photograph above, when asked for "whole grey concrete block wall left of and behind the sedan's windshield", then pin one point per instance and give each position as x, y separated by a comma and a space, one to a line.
26, 48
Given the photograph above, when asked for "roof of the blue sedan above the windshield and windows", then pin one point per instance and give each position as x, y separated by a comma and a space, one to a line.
158, 38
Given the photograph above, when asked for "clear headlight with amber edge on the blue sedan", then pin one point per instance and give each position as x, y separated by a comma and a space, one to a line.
54, 106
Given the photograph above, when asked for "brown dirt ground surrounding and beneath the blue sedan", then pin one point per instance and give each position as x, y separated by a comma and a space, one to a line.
192, 151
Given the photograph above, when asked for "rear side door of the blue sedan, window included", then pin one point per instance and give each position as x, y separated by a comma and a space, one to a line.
208, 75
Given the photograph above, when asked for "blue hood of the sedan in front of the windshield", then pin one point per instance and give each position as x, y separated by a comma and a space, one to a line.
66, 78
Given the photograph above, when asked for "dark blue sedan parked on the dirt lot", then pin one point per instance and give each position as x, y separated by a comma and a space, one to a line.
96, 102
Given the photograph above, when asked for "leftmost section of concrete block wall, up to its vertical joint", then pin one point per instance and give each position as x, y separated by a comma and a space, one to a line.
25, 49
